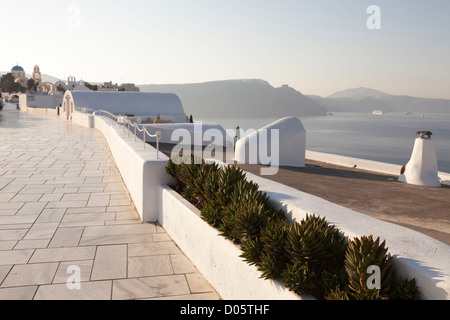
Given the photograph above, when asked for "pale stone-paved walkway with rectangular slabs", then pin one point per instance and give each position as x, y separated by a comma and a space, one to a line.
64, 209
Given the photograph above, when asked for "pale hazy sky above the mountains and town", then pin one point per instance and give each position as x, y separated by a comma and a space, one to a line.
315, 46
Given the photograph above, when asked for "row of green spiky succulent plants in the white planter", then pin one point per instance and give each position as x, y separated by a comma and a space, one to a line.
311, 256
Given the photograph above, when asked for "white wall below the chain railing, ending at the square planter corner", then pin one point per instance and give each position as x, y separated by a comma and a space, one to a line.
141, 170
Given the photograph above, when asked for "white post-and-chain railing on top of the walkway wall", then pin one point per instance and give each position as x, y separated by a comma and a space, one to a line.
125, 122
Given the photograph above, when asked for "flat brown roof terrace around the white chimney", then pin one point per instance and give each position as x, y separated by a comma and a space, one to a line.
382, 196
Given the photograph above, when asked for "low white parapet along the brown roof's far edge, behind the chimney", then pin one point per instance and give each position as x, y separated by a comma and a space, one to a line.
369, 165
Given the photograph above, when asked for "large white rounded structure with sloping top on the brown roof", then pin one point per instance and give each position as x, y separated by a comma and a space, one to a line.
284, 139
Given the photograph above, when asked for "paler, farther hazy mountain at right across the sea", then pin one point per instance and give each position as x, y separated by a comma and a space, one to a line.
367, 100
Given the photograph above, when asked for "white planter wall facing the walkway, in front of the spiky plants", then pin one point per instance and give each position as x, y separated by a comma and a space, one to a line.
215, 257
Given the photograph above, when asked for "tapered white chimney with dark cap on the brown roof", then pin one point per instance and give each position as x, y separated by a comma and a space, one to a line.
422, 168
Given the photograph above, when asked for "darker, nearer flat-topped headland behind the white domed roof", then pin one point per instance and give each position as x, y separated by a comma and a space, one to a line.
240, 98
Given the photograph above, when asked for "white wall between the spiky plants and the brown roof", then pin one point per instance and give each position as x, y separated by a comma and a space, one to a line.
416, 255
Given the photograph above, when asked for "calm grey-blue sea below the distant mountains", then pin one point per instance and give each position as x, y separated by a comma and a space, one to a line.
388, 138
